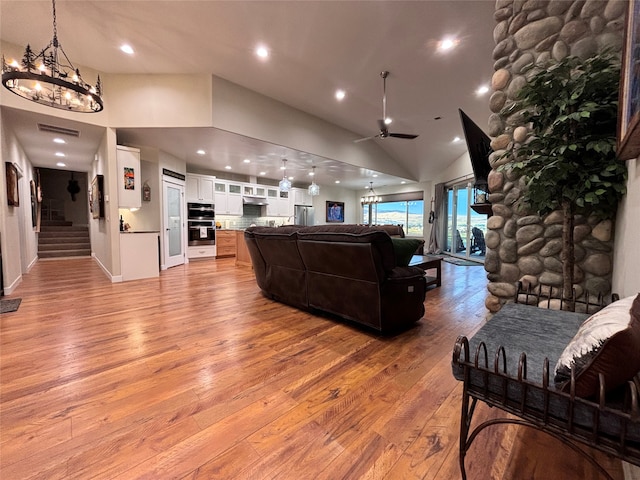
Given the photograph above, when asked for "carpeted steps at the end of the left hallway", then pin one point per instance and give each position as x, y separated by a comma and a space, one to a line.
59, 238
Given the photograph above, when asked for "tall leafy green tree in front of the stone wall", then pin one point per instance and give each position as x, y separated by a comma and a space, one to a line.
569, 160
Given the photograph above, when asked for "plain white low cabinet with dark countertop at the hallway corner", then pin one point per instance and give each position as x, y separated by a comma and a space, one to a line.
139, 255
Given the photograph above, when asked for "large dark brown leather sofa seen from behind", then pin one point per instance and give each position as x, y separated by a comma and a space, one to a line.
346, 270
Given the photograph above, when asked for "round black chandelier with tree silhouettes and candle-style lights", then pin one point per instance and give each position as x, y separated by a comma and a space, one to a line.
49, 78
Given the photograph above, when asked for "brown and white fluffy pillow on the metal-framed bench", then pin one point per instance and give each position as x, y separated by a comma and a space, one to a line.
608, 342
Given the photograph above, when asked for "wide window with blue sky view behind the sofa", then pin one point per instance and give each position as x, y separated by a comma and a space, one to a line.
408, 213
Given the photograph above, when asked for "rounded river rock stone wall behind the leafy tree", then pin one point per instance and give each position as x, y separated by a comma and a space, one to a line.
522, 246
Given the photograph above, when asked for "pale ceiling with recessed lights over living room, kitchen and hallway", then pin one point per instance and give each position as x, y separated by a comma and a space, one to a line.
316, 47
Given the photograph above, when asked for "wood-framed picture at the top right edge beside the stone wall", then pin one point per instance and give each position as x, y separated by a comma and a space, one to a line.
629, 106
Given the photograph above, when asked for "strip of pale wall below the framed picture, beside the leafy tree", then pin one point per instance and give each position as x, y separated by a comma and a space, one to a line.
626, 260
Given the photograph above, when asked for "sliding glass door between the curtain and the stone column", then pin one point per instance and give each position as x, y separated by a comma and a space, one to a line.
465, 227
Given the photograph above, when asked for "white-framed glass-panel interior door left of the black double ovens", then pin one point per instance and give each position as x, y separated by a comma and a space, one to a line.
174, 224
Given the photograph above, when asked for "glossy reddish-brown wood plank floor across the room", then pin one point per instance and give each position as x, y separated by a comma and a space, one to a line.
196, 375
